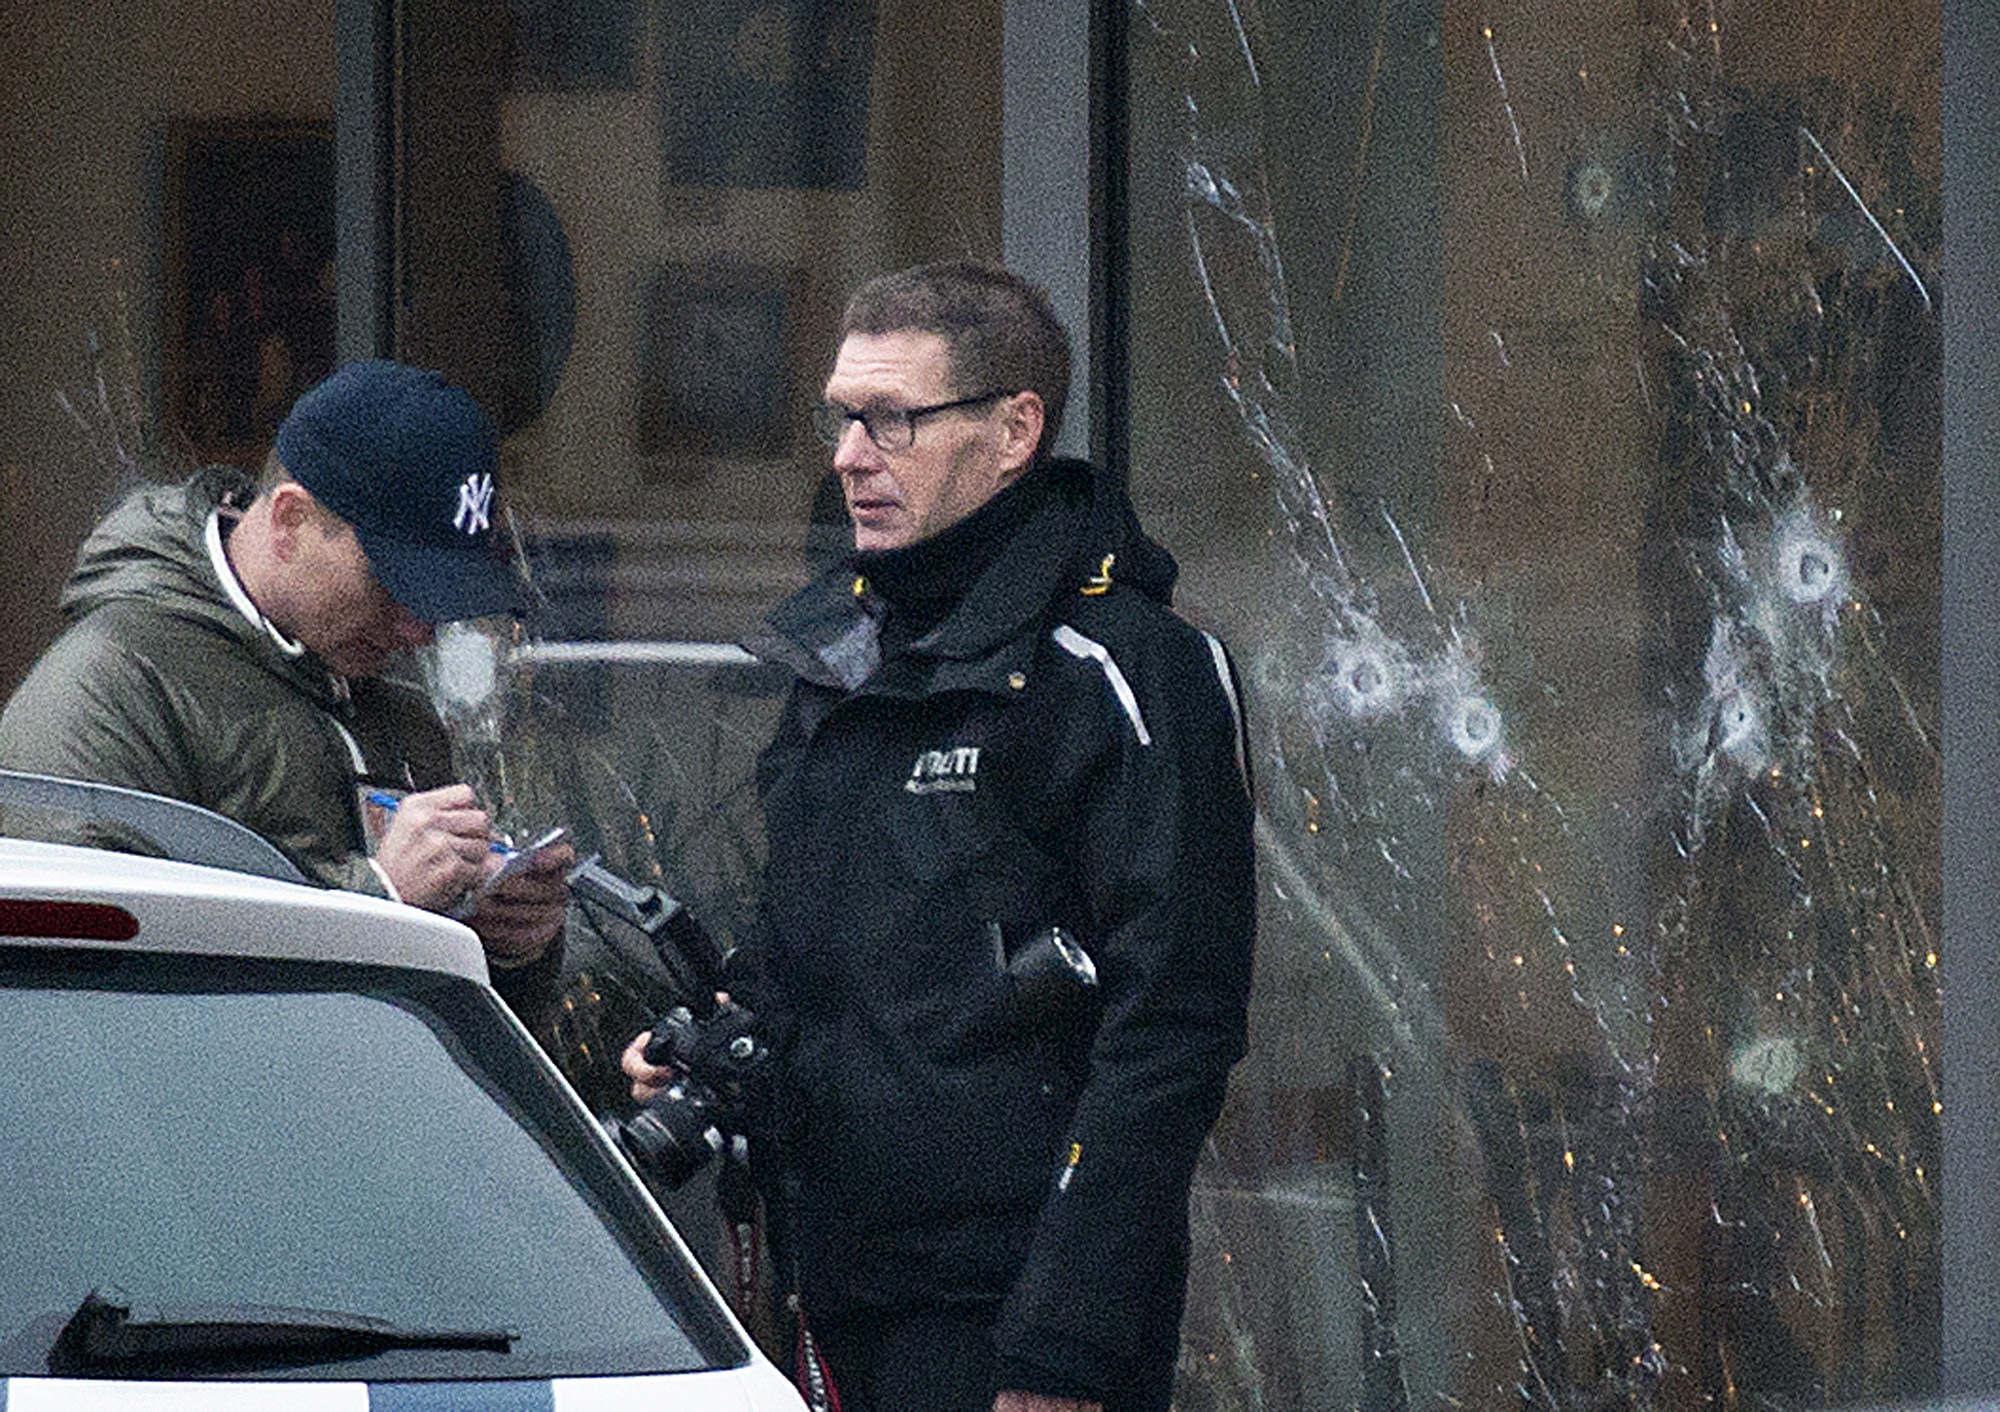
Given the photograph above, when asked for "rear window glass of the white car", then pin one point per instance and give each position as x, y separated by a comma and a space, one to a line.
373, 1143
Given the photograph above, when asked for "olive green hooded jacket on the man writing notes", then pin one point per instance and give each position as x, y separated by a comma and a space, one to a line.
161, 683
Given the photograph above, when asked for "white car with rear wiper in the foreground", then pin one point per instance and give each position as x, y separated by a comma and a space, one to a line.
275, 1147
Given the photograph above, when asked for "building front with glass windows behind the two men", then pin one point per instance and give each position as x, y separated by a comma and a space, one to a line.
1567, 413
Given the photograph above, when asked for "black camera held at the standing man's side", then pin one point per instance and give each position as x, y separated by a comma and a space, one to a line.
709, 1107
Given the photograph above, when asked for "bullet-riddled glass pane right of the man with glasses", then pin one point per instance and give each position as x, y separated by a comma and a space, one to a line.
1567, 395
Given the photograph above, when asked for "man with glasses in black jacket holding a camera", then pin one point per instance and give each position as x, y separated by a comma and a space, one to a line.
997, 729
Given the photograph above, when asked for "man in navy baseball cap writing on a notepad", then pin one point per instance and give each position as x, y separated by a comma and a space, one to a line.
227, 639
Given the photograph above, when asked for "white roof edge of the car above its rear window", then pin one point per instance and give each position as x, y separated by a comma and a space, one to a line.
197, 911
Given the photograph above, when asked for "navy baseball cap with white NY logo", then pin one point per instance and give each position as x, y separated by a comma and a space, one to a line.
411, 463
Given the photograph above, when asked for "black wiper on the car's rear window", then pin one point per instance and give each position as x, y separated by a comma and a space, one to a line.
111, 1333
